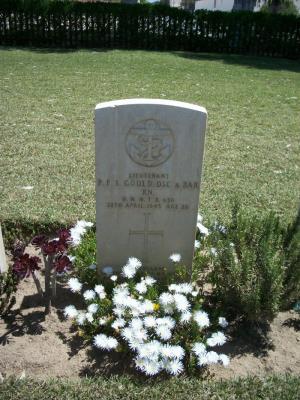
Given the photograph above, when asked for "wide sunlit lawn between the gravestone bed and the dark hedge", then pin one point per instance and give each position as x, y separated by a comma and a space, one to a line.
47, 100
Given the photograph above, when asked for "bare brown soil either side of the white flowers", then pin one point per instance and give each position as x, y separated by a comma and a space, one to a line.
48, 347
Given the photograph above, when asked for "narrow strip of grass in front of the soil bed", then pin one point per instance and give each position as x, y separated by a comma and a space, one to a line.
279, 388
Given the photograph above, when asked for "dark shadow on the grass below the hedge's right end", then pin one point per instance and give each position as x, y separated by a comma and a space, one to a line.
258, 62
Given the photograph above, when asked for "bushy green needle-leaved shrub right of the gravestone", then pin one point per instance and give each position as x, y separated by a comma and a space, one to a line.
247, 266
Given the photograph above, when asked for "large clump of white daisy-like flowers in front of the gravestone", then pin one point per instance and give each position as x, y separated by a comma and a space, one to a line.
154, 325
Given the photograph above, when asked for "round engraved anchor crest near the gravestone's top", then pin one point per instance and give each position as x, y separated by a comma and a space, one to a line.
149, 143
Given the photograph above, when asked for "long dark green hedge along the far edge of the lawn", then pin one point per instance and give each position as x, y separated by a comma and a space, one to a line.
74, 24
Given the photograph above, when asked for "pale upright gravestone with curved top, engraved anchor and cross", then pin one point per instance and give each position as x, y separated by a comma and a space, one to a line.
148, 170
